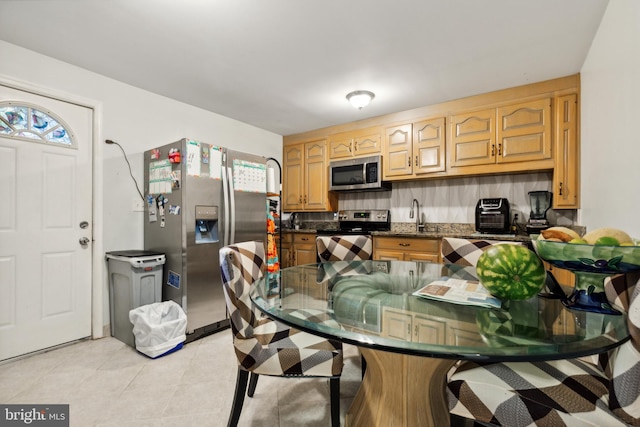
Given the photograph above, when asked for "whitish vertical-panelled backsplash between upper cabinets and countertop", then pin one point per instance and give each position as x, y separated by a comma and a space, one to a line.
453, 200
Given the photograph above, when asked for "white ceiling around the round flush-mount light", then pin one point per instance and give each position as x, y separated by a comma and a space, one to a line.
286, 65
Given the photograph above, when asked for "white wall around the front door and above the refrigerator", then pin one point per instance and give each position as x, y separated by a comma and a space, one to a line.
136, 119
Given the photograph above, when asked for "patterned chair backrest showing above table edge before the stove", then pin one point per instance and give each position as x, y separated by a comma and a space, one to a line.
344, 247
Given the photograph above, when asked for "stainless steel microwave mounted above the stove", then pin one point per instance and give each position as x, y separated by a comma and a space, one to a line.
358, 174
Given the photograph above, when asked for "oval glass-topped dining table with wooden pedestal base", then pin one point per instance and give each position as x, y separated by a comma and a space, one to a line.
410, 342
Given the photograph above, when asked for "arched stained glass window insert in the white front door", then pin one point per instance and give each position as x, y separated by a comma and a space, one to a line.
29, 122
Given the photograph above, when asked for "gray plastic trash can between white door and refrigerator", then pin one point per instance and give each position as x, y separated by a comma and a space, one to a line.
135, 279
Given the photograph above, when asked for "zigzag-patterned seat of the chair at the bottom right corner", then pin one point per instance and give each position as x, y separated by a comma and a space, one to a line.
557, 393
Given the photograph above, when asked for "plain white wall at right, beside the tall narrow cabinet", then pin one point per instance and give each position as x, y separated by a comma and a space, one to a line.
610, 79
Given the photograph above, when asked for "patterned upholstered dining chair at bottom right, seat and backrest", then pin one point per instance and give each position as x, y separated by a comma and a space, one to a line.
560, 392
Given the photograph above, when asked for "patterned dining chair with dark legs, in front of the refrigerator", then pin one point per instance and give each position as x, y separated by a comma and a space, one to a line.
267, 347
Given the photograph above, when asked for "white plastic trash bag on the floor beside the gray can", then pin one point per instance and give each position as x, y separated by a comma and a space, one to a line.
159, 328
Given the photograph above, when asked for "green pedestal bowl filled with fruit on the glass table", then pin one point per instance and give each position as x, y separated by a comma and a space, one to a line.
593, 257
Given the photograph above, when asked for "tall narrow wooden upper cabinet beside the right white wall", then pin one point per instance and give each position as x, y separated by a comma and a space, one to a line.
567, 154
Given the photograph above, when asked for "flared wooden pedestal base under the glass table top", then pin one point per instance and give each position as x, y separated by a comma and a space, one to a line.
401, 390
